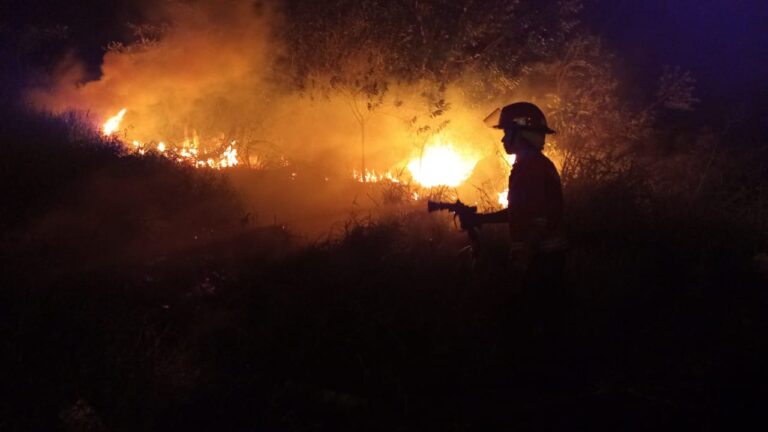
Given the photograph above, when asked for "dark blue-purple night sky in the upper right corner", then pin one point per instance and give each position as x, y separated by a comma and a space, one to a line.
723, 43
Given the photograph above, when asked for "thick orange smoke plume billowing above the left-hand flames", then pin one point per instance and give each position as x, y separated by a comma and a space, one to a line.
204, 69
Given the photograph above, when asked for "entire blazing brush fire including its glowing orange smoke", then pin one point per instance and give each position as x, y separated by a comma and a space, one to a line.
223, 108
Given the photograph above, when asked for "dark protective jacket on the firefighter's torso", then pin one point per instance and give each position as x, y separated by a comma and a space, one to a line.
536, 206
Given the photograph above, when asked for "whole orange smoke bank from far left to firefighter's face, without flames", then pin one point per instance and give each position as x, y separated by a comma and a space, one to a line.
209, 71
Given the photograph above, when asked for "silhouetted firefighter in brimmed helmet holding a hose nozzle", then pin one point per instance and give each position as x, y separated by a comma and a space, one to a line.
535, 210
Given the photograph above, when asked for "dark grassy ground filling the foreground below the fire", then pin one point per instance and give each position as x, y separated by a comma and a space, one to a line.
382, 328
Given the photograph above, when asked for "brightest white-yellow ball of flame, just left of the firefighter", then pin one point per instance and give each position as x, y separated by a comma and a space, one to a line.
441, 165
